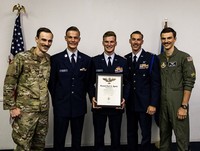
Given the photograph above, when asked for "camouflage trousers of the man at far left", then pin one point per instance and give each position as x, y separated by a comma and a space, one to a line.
30, 130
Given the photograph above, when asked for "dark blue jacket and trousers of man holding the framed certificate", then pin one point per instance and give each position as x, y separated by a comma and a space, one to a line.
100, 116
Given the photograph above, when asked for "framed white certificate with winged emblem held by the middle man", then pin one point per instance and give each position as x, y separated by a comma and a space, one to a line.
109, 90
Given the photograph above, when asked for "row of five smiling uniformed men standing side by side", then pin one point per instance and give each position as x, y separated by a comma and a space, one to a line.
151, 83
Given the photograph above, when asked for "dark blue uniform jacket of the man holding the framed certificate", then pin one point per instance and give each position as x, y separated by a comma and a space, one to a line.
119, 66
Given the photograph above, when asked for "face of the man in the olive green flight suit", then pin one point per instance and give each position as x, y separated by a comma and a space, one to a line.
168, 40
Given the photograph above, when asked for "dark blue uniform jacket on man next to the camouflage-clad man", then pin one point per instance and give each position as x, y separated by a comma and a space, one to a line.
68, 86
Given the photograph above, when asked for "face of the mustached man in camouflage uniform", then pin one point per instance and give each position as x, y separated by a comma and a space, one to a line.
44, 41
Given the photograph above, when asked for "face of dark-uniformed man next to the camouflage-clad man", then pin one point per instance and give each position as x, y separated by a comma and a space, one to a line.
72, 38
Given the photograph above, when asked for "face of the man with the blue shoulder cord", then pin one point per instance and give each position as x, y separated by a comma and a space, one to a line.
136, 42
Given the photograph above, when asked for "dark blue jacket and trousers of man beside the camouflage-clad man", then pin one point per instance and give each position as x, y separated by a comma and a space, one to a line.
68, 86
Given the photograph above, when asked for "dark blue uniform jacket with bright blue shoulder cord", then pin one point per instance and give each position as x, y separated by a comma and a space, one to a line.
145, 82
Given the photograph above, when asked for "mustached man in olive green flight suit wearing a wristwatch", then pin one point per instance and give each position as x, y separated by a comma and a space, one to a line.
178, 78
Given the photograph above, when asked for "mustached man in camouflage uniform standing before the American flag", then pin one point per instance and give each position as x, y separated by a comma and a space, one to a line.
26, 94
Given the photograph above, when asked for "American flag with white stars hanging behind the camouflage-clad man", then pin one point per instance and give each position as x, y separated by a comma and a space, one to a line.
17, 40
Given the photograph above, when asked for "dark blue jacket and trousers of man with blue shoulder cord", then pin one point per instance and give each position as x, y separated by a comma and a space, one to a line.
145, 91
